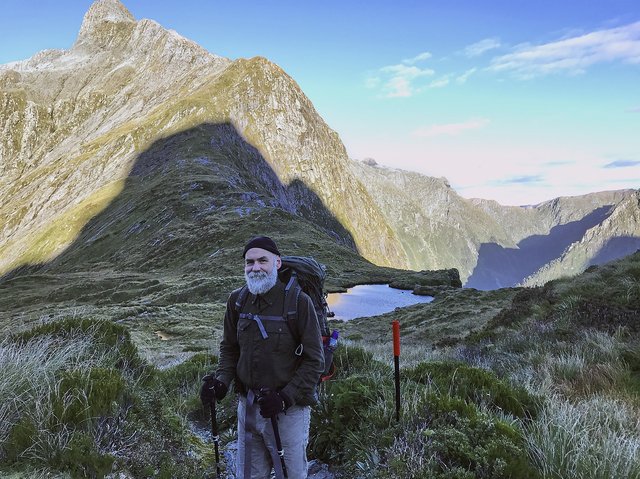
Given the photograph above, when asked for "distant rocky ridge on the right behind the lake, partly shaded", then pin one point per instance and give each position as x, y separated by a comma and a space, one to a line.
496, 246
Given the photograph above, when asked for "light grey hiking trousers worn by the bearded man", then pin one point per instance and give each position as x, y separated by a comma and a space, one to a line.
257, 442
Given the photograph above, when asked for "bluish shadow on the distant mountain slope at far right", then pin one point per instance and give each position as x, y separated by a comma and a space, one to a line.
500, 267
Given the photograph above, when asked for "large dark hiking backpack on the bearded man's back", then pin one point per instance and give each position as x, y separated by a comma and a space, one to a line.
300, 273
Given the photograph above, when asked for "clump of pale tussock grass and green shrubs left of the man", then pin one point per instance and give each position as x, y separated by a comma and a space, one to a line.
77, 399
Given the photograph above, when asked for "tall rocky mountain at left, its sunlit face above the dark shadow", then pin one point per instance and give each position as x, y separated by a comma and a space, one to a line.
74, 123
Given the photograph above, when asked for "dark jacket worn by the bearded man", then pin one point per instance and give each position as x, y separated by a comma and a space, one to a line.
255, 362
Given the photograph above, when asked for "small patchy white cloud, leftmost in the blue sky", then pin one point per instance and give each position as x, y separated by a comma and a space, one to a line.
400, 80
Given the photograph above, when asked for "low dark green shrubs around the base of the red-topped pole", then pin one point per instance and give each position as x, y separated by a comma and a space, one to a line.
442, 433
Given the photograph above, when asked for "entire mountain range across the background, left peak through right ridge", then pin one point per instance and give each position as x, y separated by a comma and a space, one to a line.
137, 135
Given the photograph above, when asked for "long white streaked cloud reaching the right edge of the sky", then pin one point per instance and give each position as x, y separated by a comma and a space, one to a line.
575, 54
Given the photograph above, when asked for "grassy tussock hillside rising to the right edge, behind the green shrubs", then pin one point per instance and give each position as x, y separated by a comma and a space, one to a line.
574, 344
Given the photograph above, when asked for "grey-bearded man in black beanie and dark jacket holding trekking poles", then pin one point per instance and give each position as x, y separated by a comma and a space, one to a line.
275, 369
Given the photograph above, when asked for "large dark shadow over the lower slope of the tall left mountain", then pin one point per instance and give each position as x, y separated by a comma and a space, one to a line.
189, 204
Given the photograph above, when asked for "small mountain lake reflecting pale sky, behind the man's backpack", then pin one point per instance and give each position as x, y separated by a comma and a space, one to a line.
371, 300
